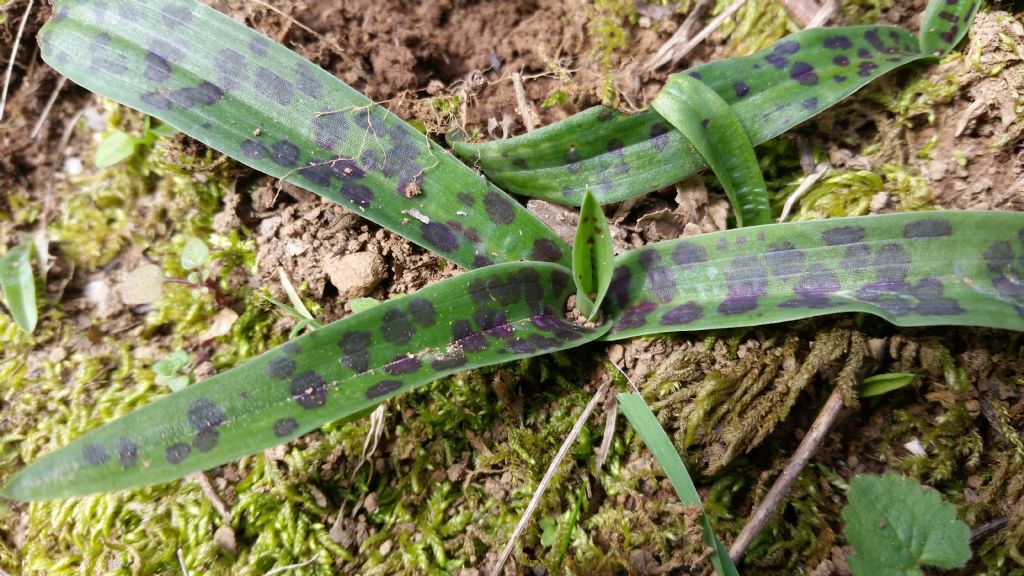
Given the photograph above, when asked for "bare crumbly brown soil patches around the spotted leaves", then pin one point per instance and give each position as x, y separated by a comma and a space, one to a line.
402, 53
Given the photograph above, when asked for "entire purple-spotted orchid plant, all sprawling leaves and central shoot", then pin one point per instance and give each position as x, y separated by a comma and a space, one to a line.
271, 109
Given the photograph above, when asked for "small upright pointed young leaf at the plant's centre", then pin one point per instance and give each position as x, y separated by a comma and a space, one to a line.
592, 258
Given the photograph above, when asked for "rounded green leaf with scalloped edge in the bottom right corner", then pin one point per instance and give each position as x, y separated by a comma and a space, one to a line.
897, 525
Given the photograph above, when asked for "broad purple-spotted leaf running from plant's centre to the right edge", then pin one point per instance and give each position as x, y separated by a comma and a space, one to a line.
925, 269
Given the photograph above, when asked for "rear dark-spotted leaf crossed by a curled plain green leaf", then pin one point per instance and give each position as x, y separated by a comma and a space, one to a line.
620, 156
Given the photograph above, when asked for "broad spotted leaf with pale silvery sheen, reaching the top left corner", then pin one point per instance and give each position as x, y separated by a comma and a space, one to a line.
255, 101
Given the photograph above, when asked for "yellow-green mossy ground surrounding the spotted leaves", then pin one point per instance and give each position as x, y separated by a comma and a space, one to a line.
458, 461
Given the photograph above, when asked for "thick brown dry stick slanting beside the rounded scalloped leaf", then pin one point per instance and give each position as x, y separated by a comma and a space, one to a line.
823, 424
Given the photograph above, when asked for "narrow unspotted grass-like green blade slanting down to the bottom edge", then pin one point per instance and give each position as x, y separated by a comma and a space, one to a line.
639, 415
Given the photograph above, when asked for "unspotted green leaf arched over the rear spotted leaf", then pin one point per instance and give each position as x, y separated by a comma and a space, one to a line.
708, 122
